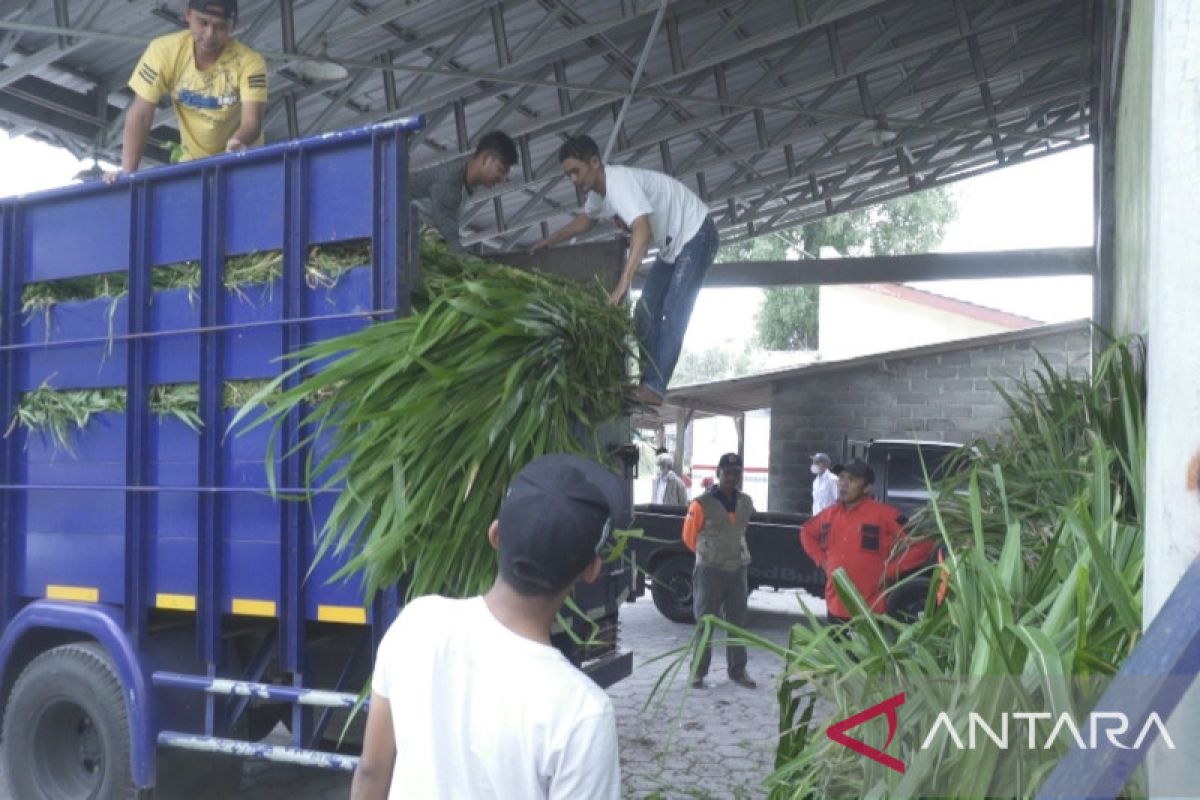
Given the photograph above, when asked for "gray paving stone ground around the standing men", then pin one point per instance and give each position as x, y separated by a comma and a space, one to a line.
716, 743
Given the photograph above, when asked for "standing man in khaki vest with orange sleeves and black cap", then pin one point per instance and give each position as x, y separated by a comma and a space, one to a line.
716, 531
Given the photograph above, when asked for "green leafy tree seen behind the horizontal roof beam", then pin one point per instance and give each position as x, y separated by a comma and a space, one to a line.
789, 317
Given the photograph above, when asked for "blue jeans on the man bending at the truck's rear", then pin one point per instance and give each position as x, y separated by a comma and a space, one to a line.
665, 306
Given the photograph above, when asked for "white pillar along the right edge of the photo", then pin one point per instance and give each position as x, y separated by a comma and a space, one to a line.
1173, 525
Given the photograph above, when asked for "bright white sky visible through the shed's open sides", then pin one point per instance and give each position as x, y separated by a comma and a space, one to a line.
1046, 203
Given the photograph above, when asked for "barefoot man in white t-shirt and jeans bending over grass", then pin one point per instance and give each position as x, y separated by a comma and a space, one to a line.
658, 212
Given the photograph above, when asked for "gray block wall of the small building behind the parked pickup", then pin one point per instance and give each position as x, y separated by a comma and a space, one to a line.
937, 398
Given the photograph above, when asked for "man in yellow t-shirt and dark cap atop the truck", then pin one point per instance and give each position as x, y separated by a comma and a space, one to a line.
217, 85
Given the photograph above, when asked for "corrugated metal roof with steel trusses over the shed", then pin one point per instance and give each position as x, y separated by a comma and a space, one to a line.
776, 111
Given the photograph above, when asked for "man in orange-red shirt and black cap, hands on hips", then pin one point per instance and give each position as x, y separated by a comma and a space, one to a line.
859, 534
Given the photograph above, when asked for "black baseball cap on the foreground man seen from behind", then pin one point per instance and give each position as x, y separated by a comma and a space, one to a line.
556, 519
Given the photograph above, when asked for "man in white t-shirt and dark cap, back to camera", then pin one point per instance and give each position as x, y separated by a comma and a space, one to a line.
470, 699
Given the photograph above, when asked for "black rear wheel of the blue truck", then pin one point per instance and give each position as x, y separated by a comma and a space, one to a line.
67, 730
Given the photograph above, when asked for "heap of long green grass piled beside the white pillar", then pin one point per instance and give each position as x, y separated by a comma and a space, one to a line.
1046, 536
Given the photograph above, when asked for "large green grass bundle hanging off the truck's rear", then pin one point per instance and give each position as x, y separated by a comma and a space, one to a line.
436, 412
